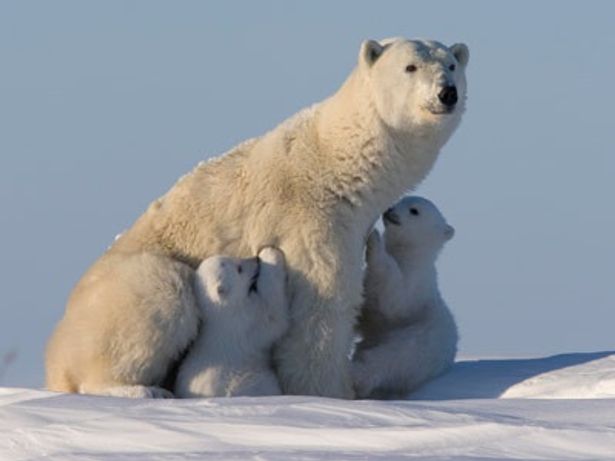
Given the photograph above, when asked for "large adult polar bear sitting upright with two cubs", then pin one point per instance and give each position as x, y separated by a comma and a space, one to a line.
313, 187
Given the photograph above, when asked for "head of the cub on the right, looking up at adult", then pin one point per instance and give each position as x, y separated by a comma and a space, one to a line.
415, 222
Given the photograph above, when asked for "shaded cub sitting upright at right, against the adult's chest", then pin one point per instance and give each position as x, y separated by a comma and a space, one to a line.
409, 333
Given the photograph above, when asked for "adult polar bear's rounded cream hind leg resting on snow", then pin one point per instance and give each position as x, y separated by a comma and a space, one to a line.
129, 318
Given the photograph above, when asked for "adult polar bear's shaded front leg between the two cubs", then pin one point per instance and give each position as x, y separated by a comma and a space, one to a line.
313, 357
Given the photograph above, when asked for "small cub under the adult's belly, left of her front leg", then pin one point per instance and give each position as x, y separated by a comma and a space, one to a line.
245, 310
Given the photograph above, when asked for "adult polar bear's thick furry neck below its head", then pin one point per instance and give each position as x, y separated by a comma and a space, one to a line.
367, 165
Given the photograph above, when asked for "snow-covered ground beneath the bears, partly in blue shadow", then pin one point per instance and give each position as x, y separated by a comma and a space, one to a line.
557, 408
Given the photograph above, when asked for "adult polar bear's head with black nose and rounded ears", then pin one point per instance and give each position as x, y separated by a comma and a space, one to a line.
415, 82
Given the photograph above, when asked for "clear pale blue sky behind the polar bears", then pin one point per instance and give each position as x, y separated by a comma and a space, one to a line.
103, 105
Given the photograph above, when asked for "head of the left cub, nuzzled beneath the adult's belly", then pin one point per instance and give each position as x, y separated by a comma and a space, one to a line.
224, 286
